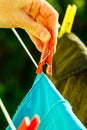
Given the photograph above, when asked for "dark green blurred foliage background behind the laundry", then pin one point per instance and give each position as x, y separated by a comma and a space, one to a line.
17, 71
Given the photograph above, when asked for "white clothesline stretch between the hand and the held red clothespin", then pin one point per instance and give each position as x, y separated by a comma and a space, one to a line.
25, 48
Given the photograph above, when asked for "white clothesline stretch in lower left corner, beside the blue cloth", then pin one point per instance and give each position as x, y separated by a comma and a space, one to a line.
7, 115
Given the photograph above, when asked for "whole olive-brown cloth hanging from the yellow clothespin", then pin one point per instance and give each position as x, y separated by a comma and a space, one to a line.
70, 73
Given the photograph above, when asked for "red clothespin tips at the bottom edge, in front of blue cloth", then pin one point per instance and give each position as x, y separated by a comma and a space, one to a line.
30, 125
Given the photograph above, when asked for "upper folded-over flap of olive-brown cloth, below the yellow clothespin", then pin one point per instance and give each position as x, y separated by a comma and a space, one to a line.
70, 57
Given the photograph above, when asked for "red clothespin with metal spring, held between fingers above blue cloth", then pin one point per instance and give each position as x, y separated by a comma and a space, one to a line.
46, 58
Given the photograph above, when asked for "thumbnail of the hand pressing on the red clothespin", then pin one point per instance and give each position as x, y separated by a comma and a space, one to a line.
45, 36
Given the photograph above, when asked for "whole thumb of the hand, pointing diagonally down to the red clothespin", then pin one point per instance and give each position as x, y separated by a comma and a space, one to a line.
31, 26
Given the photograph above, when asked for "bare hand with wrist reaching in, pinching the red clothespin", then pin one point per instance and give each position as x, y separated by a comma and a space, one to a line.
38, 18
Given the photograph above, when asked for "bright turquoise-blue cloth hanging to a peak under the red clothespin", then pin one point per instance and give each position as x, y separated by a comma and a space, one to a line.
54, 111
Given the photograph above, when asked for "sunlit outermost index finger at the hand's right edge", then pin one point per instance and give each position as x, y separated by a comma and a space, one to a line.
51, 16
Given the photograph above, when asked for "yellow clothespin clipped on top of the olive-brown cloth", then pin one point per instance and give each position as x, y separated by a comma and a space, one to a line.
68, 20
